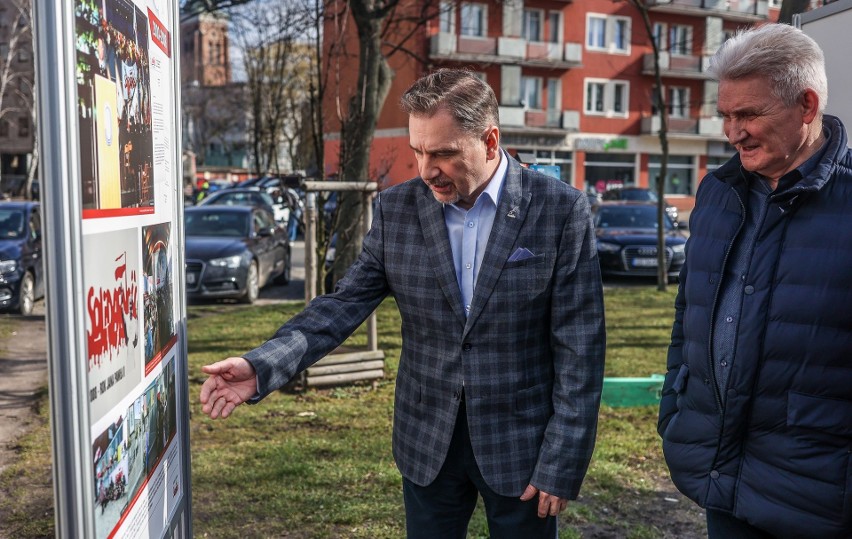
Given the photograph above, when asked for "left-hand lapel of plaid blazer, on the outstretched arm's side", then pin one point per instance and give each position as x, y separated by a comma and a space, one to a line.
431, 213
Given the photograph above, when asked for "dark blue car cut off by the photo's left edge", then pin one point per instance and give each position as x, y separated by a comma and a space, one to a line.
21, 268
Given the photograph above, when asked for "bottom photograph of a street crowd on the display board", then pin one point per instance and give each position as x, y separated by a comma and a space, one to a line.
129, 450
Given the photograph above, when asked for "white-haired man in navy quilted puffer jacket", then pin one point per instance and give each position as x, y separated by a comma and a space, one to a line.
756, 414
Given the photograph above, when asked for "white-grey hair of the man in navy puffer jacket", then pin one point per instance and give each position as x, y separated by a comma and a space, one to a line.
786, 57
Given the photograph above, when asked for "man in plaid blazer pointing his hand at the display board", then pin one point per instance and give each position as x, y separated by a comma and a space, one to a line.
494, 270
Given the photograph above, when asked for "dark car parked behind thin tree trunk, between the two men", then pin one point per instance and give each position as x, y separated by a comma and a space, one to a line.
626, 234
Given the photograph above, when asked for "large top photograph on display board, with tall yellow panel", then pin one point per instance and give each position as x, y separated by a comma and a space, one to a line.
114, 107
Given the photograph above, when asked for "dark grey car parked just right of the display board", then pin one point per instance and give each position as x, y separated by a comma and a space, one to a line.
233, 252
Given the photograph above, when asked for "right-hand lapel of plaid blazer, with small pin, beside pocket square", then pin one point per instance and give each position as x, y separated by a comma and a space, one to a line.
511, 212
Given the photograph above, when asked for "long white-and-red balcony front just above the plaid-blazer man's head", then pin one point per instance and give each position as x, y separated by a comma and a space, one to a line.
505, 50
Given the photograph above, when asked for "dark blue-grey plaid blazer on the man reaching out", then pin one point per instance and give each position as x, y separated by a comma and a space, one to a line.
529, 357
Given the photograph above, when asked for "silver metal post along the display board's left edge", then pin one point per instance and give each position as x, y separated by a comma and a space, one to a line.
53, 43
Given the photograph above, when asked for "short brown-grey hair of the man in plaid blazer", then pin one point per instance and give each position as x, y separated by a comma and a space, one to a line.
469, 100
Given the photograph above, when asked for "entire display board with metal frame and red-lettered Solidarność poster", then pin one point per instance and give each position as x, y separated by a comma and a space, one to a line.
109, 129
